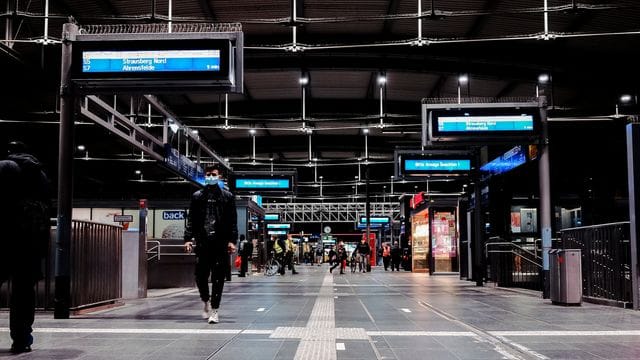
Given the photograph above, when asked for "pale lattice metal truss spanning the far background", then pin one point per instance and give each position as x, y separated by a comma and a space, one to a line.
331, 212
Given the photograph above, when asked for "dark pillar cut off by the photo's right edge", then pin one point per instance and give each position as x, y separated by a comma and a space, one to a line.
633, 175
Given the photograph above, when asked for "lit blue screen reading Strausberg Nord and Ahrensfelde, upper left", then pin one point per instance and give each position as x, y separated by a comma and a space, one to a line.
144, 61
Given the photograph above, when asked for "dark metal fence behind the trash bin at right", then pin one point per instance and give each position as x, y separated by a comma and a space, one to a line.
606, 260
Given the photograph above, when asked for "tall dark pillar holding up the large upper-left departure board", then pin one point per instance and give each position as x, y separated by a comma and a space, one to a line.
62, 297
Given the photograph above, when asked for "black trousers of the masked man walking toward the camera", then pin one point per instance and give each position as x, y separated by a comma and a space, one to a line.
216, 267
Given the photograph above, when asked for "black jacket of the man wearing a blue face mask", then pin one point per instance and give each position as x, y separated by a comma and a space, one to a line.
212, 220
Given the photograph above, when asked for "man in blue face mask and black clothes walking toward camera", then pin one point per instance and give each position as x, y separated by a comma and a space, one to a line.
212, 224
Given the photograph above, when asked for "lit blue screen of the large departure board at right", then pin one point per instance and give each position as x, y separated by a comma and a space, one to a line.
464, 124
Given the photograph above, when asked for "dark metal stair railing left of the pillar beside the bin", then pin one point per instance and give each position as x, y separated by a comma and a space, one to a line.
511, 265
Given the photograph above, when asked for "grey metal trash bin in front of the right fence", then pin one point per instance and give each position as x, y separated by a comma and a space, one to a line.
565, 272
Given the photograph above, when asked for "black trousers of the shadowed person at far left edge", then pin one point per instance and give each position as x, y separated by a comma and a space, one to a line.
22, 309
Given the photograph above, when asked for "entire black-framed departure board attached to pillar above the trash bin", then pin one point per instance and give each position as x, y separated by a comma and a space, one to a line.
481, 123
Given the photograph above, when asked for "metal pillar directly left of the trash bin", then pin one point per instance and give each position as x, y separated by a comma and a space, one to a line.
545, 194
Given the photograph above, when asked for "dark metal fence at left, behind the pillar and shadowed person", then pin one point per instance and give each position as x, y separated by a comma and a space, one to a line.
96, 267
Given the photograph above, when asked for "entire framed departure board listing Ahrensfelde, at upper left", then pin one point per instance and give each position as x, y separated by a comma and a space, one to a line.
152, 63
